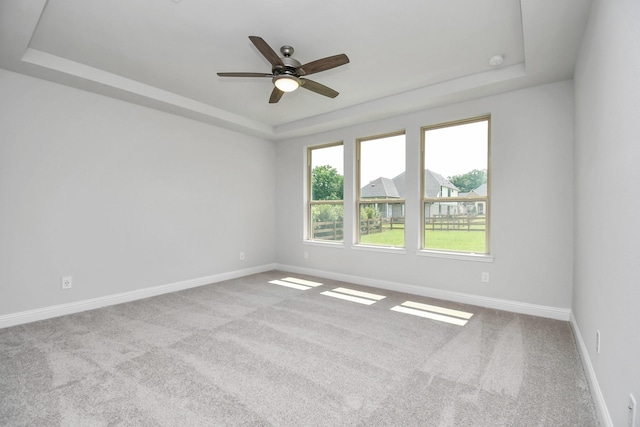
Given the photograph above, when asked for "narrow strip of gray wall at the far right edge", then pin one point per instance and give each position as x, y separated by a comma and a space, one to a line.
607, 159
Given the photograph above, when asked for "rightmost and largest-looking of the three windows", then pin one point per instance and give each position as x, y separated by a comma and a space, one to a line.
455, 186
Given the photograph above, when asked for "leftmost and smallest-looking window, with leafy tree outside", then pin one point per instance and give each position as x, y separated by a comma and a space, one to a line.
325, 189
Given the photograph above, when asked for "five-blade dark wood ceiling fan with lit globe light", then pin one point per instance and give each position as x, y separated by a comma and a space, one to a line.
287, 73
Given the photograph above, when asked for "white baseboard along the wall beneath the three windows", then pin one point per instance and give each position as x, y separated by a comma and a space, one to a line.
556, 313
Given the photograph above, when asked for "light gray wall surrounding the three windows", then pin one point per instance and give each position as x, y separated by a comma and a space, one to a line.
532, 201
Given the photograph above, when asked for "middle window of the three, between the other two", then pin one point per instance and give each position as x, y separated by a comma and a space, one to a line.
381, 180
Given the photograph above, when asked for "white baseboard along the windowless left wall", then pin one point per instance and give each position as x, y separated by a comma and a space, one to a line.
91, 304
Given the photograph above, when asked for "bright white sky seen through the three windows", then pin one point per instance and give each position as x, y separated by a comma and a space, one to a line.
449, 151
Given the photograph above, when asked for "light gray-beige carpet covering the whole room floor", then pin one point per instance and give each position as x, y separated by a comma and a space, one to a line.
250, 352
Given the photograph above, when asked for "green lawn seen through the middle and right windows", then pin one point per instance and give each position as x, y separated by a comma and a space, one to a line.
463, 241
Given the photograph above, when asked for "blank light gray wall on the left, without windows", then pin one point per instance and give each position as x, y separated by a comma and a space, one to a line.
121, 197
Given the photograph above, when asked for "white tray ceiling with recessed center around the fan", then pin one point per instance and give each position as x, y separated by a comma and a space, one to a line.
405, 55
